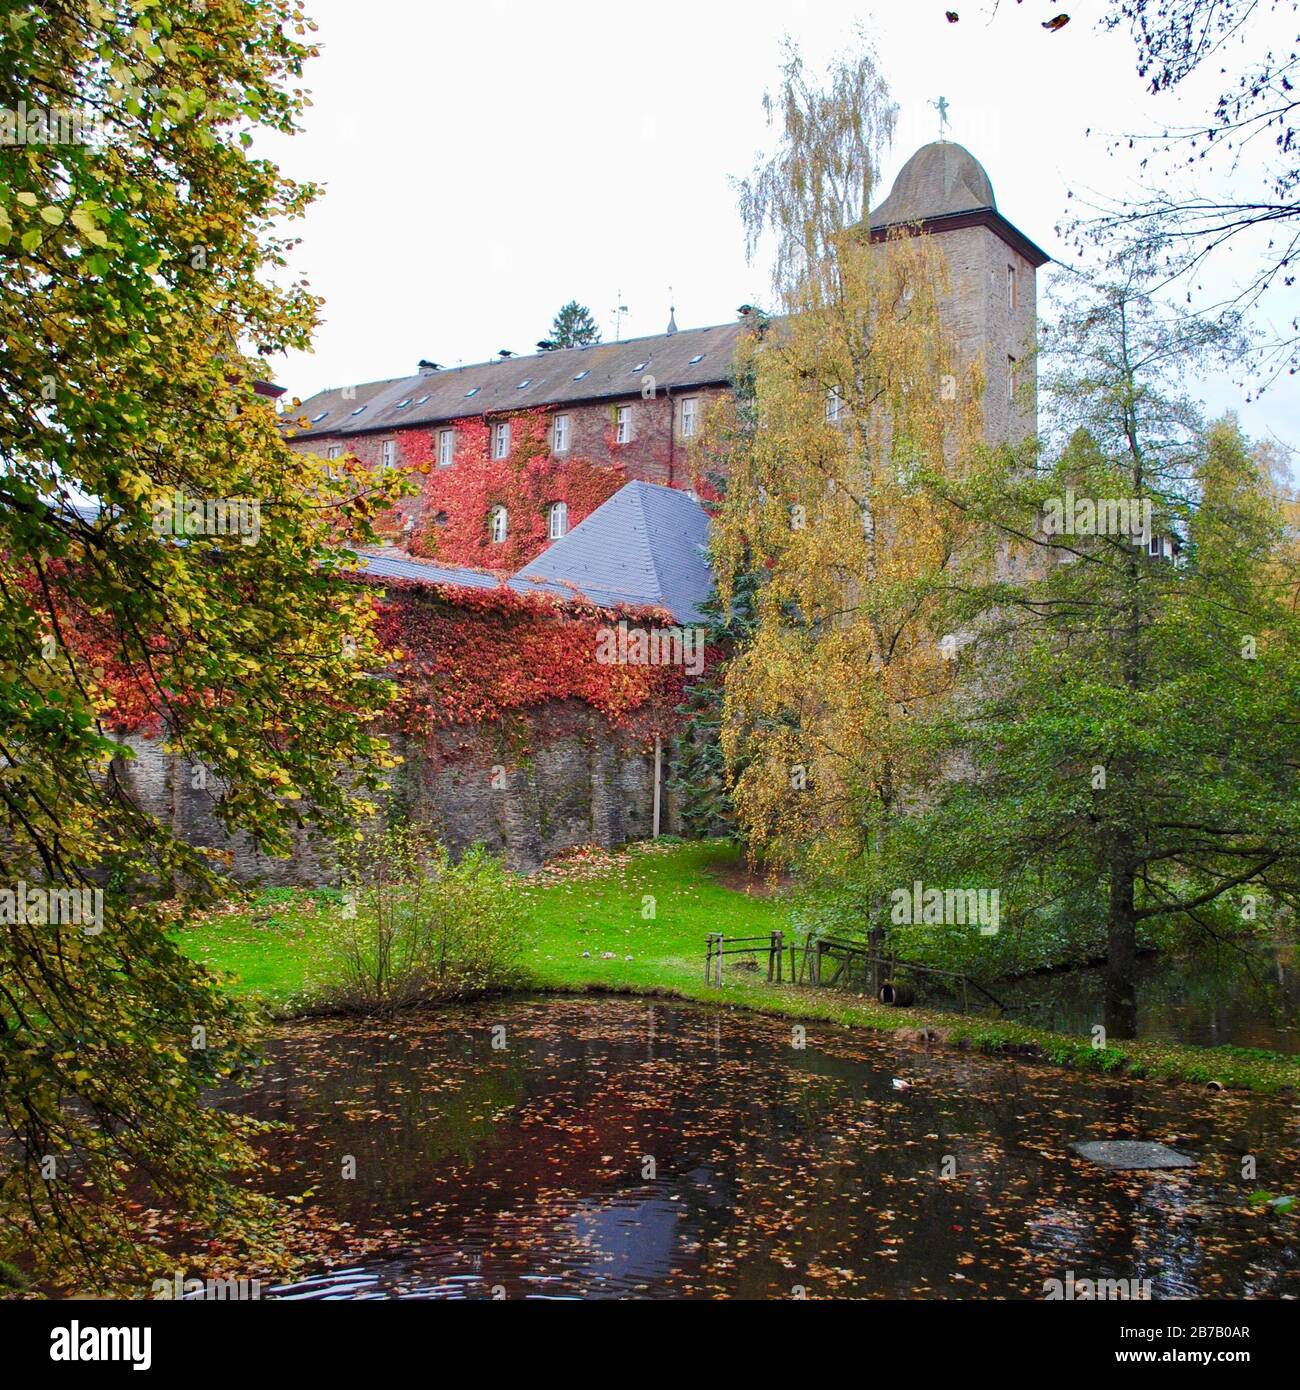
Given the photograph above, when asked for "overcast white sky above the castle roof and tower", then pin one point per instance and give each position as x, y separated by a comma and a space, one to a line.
485, 163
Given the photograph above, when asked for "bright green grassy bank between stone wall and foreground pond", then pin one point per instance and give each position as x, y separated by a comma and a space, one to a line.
637, 922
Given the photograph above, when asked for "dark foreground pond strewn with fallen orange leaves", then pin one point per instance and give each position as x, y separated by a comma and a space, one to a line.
626, 1149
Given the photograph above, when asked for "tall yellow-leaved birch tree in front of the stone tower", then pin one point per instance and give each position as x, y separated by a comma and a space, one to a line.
852, 411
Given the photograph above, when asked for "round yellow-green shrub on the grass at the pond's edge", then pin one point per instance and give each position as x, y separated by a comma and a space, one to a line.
415, 928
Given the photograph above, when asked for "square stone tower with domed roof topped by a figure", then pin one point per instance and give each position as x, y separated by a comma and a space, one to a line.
992, 308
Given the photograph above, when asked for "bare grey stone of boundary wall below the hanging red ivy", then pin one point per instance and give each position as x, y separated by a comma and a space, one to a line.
555, 778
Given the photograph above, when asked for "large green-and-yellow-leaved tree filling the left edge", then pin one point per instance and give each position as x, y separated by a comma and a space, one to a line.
141, 256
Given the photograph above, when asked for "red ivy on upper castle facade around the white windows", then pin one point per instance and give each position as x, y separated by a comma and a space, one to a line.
457, 501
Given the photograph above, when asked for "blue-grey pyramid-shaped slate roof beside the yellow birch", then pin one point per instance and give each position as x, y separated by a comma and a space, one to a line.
646, 547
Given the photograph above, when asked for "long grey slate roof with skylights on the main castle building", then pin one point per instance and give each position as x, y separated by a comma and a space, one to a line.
565, 376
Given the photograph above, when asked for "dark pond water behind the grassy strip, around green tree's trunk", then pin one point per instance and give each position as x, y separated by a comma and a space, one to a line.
1253, 1003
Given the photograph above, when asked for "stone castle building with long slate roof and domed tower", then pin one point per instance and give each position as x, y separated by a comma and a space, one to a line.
635, 407
